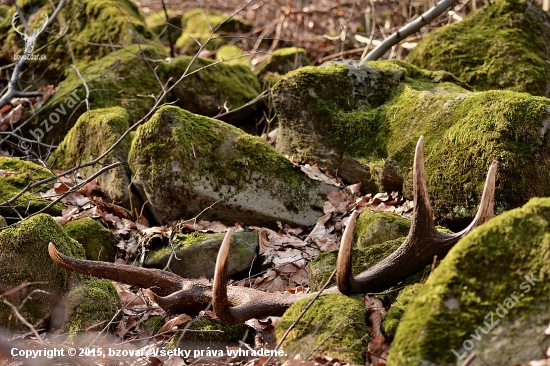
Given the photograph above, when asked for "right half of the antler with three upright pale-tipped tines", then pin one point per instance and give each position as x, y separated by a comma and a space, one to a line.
421, 245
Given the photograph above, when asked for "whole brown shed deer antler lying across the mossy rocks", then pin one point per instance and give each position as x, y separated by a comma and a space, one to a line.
234, 304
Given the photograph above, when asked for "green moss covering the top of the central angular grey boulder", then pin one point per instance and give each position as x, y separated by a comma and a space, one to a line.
214, 155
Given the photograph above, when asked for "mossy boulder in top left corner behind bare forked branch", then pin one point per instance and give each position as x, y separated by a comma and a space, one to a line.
90, 27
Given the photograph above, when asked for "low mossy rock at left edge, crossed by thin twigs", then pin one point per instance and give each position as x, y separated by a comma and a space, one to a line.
15, 175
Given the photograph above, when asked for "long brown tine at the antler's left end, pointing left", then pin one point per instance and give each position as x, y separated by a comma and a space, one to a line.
143, 277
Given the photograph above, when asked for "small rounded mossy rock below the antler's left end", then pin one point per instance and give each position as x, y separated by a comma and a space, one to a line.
91, 306
